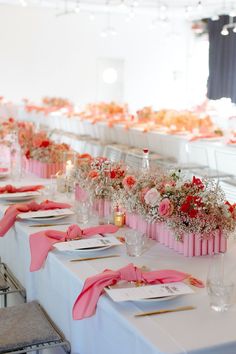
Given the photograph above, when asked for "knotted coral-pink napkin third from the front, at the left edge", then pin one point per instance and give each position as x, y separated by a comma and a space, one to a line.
11, 213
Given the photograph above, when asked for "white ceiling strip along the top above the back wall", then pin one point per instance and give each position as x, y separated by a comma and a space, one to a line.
167, 9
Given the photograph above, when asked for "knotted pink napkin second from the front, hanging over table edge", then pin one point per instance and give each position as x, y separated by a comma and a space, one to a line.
41, 242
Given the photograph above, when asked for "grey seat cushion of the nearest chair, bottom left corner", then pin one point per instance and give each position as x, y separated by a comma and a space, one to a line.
24, 325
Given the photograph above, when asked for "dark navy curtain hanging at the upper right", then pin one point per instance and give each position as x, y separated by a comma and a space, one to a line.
222, 61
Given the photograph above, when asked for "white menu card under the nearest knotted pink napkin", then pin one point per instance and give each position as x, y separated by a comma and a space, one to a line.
148, 291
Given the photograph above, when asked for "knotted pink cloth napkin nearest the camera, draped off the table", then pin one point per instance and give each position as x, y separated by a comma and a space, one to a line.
86, 302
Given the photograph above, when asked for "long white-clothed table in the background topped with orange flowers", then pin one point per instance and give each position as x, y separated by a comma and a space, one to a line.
179, 146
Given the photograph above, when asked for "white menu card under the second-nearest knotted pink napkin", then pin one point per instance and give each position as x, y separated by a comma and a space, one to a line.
88, 244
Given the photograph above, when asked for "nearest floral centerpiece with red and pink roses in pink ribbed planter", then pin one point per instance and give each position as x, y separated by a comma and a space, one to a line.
175, 210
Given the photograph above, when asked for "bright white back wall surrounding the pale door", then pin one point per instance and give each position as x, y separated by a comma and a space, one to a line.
41, 54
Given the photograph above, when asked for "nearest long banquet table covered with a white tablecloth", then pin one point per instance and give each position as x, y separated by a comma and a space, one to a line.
114, 329
